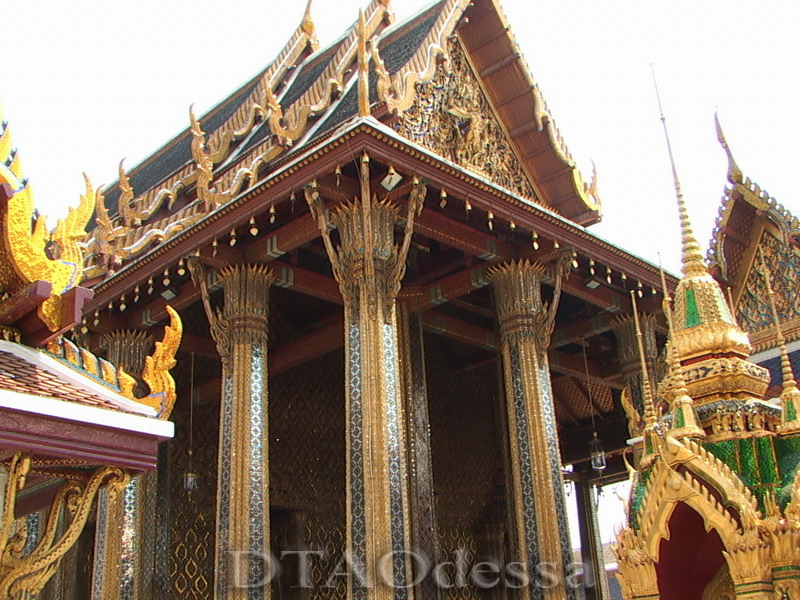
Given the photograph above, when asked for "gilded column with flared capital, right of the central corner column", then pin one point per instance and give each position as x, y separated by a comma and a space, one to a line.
541, 536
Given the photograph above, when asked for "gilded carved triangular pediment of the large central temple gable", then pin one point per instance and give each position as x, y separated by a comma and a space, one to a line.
452, 116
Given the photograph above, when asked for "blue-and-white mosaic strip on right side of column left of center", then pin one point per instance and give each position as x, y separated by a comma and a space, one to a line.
258, 458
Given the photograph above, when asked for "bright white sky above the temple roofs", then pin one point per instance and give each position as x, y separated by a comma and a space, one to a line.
88, 82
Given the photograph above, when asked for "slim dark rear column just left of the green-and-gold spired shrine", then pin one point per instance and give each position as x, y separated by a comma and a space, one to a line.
591, 542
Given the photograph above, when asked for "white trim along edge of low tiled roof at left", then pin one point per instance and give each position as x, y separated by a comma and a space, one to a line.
82, 413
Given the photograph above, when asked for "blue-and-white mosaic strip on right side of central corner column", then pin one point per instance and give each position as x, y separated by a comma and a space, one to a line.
389, 362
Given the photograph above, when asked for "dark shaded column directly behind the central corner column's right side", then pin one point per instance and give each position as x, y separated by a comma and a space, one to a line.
424, 532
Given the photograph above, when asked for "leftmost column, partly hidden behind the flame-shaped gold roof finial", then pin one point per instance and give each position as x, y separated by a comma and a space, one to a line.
123, 556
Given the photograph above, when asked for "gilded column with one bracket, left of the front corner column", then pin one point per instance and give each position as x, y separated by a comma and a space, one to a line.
242, 569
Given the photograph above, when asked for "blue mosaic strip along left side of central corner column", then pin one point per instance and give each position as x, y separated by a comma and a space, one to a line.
358, 523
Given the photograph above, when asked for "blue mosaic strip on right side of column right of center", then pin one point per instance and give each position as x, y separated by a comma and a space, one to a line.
554, 458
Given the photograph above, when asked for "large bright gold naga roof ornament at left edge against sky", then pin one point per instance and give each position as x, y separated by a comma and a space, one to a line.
29, 252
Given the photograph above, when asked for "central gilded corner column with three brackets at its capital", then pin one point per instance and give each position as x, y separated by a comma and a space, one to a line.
369, 266
